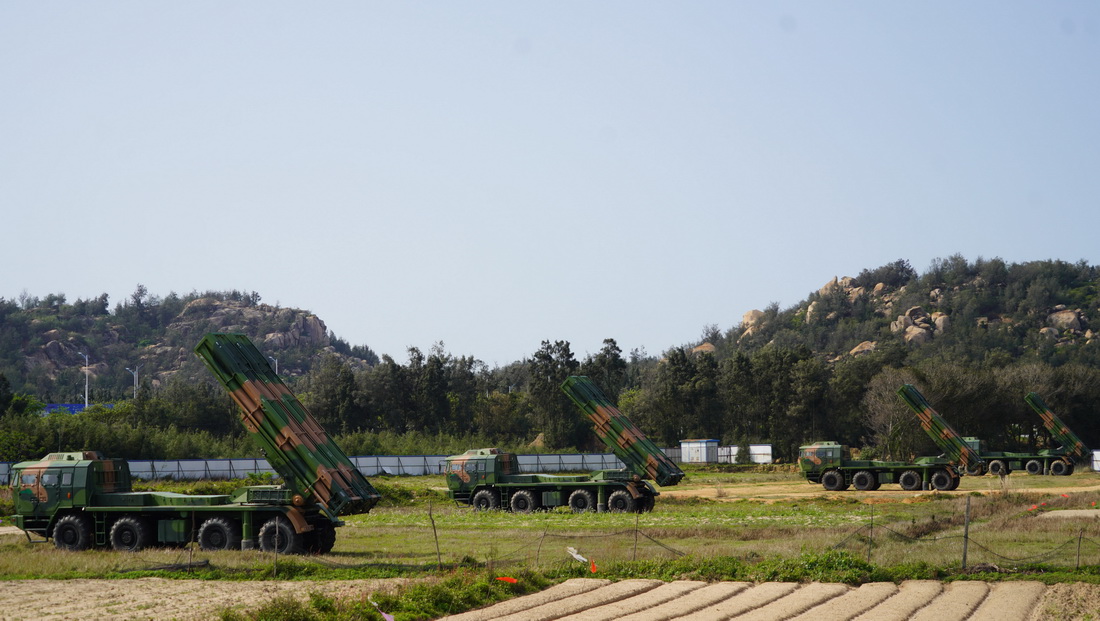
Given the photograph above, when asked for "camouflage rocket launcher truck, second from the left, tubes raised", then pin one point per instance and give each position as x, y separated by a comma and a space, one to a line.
488, 479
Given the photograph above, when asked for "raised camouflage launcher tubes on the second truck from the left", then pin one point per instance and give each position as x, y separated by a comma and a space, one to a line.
641, 456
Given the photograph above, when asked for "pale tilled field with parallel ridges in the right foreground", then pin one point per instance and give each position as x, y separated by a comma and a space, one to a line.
654, 601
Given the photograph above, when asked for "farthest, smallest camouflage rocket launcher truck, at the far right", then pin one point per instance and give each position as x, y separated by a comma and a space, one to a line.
1057, 462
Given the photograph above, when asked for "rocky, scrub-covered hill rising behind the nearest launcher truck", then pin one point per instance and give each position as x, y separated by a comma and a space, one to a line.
157, 341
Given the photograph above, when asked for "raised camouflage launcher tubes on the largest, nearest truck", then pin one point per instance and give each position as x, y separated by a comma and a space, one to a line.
299, 449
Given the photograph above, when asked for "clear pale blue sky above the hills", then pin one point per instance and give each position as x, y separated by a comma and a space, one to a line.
492, 175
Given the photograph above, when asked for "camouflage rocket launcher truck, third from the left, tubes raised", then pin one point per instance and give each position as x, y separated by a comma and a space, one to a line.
830, 464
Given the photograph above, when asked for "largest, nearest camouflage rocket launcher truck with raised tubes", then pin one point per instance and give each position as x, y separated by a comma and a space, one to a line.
85, 501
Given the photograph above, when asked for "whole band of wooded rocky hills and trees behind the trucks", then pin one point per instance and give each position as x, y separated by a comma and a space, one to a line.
974, 337
